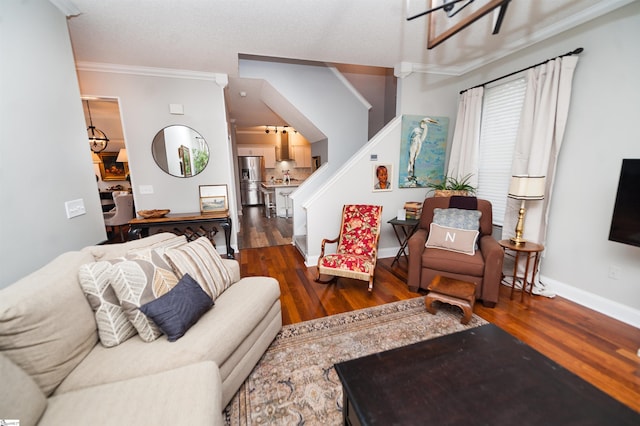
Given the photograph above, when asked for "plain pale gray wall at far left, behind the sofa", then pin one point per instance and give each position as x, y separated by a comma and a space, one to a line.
43, 142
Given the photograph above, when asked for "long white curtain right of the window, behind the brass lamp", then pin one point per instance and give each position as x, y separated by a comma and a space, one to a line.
540, 135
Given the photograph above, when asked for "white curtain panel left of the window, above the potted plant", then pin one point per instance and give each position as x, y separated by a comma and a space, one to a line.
463, 159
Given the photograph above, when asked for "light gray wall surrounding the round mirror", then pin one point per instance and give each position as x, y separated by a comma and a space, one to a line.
144, 104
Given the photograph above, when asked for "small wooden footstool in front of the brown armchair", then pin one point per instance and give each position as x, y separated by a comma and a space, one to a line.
454, 292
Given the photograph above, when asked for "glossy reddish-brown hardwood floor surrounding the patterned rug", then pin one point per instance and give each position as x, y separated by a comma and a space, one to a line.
597, 348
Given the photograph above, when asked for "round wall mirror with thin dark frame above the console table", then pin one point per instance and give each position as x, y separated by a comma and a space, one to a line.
180, 151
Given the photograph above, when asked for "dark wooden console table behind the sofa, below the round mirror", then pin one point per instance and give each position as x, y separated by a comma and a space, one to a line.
192, 225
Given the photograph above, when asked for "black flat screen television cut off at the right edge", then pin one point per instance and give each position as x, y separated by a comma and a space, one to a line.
625, 223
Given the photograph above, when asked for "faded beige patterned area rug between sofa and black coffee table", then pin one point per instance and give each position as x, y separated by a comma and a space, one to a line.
295, 382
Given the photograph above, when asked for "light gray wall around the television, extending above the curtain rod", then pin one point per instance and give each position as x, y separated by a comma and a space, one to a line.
601, 131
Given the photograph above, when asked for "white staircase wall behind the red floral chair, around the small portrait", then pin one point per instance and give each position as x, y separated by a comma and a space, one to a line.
352, 183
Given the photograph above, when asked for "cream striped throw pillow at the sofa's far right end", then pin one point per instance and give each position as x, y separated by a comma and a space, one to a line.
201, 260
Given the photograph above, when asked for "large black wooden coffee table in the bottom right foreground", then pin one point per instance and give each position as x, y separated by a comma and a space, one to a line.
481, 376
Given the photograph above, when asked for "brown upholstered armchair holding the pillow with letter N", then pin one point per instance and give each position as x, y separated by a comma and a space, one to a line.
484, 267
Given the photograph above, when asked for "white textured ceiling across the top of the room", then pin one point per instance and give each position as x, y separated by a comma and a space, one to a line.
209, 35
